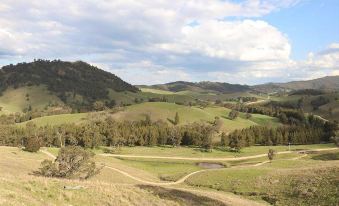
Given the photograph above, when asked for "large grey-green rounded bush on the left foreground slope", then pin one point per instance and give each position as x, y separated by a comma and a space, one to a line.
72, 162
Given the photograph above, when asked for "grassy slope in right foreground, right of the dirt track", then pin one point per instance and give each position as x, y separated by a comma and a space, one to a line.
304, 181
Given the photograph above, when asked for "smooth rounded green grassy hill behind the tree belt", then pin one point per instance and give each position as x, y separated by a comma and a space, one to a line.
166, 111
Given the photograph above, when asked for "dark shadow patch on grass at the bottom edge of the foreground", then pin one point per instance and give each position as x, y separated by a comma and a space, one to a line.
183, 197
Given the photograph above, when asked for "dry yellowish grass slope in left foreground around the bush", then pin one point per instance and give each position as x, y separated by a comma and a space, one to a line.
19, 187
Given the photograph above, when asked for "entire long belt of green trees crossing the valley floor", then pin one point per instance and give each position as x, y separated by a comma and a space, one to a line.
109, 132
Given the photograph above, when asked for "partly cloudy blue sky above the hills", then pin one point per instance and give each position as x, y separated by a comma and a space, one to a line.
159, 41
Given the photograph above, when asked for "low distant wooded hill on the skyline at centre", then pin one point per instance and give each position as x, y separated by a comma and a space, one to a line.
214, 87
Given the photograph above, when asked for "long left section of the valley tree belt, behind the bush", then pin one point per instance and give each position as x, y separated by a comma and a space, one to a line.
109, 132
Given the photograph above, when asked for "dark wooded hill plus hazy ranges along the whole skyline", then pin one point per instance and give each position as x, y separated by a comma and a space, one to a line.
82, 84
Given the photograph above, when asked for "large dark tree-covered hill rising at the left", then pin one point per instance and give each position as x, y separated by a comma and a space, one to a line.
63, 79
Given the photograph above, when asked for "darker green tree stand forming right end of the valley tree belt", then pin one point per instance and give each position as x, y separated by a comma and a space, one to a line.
311, 131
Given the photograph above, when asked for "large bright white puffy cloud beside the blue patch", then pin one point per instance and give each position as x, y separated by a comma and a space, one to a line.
246, 40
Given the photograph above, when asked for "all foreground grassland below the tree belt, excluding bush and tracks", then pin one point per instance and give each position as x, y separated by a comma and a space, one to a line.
285, 181
